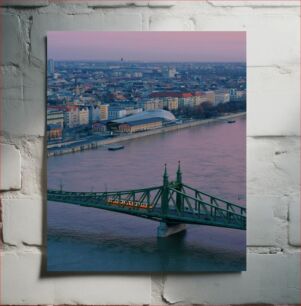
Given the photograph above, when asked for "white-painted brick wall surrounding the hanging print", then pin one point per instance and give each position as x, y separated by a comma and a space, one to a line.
273, 151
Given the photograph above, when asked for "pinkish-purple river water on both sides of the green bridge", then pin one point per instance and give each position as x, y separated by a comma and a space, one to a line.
213, 160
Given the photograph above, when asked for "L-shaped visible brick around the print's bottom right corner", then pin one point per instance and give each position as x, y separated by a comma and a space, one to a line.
269, 279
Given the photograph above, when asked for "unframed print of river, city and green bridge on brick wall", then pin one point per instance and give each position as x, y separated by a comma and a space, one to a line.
146, 146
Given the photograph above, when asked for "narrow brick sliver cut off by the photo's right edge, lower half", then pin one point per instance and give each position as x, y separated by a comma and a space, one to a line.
294, 220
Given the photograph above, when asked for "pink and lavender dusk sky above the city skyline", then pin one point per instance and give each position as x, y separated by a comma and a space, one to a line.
148, 46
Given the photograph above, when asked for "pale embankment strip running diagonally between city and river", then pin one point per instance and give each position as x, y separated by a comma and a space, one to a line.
99, 143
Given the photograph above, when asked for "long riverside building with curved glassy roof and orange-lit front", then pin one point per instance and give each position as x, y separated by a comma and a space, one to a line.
143, 121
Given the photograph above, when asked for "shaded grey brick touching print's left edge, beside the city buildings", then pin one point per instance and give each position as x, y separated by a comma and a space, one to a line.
23, 104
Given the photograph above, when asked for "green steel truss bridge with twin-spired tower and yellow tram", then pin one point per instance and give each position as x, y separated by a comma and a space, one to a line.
173, 204
